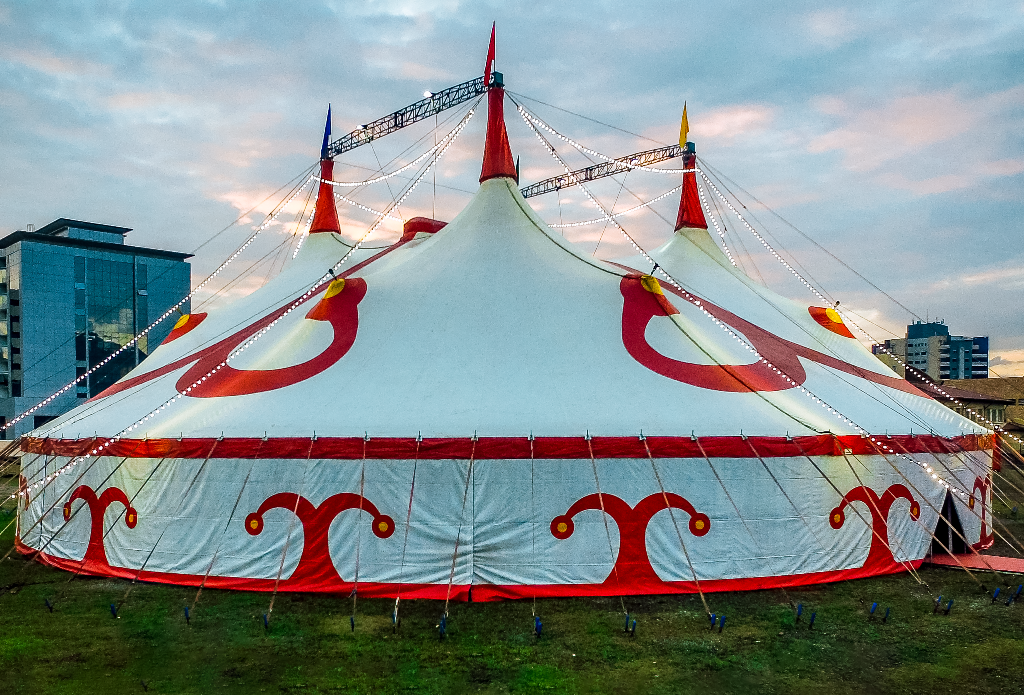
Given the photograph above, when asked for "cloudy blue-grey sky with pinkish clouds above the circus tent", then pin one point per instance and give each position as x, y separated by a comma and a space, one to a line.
891, 135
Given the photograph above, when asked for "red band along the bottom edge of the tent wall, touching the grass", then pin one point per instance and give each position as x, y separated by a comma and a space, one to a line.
465, 592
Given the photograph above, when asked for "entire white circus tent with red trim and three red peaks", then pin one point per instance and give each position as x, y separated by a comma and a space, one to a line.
482, 407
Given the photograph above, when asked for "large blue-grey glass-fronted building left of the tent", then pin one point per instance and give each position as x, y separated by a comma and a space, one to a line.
71, 295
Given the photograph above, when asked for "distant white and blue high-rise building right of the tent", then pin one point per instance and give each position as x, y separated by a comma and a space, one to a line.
929, 349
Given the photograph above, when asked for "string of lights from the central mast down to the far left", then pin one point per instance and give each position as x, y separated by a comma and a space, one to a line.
246, 345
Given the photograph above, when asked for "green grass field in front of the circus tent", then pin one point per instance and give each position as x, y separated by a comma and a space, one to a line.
311, 648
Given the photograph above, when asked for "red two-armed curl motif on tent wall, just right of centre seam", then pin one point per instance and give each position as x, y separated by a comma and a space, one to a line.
632, 566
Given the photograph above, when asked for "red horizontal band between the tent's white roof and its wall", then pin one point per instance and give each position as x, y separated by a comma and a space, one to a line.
506, 448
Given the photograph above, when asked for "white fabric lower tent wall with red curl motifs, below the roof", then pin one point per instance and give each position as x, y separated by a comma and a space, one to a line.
782, 536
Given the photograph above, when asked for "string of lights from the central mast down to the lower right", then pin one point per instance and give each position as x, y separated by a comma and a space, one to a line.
699, 303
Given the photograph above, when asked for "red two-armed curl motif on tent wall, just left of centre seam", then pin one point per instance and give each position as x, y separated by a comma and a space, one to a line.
316, 567
